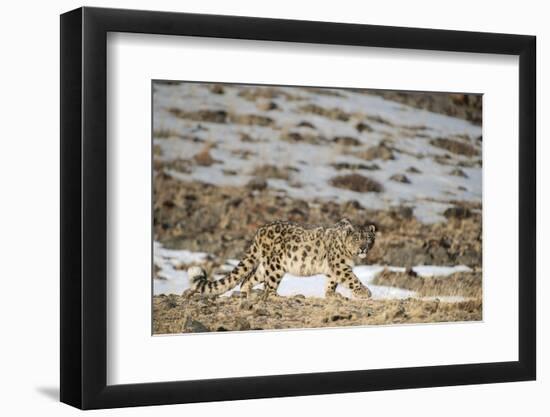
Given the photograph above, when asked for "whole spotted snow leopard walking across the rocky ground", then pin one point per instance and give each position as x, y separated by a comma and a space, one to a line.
282, 247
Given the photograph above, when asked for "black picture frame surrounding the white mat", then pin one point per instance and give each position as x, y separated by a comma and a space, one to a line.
84, 207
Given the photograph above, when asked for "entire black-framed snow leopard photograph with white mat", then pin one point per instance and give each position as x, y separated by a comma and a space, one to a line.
257, 208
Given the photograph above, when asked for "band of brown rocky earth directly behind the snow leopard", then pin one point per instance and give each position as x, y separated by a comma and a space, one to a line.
222, 220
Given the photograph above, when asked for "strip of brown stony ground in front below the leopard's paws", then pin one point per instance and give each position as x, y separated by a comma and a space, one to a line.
176, 314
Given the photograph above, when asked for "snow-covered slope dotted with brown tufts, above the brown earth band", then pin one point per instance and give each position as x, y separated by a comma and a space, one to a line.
318, 155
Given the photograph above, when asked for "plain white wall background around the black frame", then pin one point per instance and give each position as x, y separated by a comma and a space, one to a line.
29, 209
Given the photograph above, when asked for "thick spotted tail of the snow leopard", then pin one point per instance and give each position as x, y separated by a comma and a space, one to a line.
201, 284
